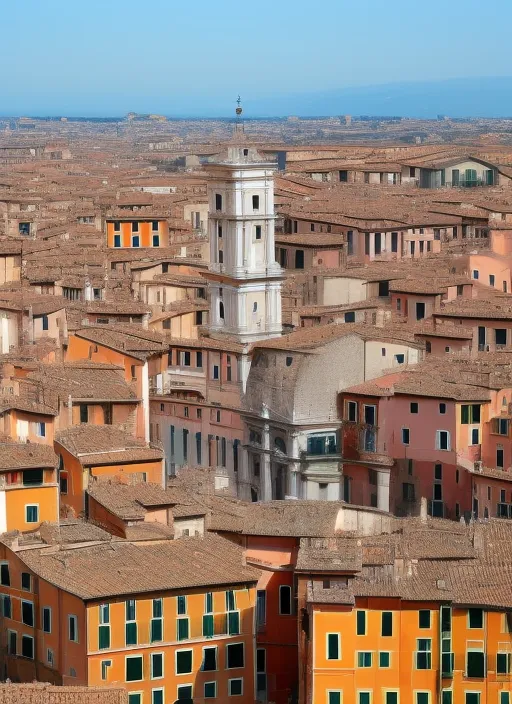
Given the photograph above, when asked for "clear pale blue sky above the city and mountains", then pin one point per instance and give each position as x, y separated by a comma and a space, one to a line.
106, 57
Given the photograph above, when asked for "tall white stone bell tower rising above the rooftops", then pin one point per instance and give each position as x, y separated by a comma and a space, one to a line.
244, 278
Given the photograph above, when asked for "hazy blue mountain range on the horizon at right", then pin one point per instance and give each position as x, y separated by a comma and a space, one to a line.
457, 97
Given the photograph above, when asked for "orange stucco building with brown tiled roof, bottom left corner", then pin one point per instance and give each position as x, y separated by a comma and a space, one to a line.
100, 612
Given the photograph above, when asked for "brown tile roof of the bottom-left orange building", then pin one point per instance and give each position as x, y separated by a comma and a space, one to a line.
120, 567
